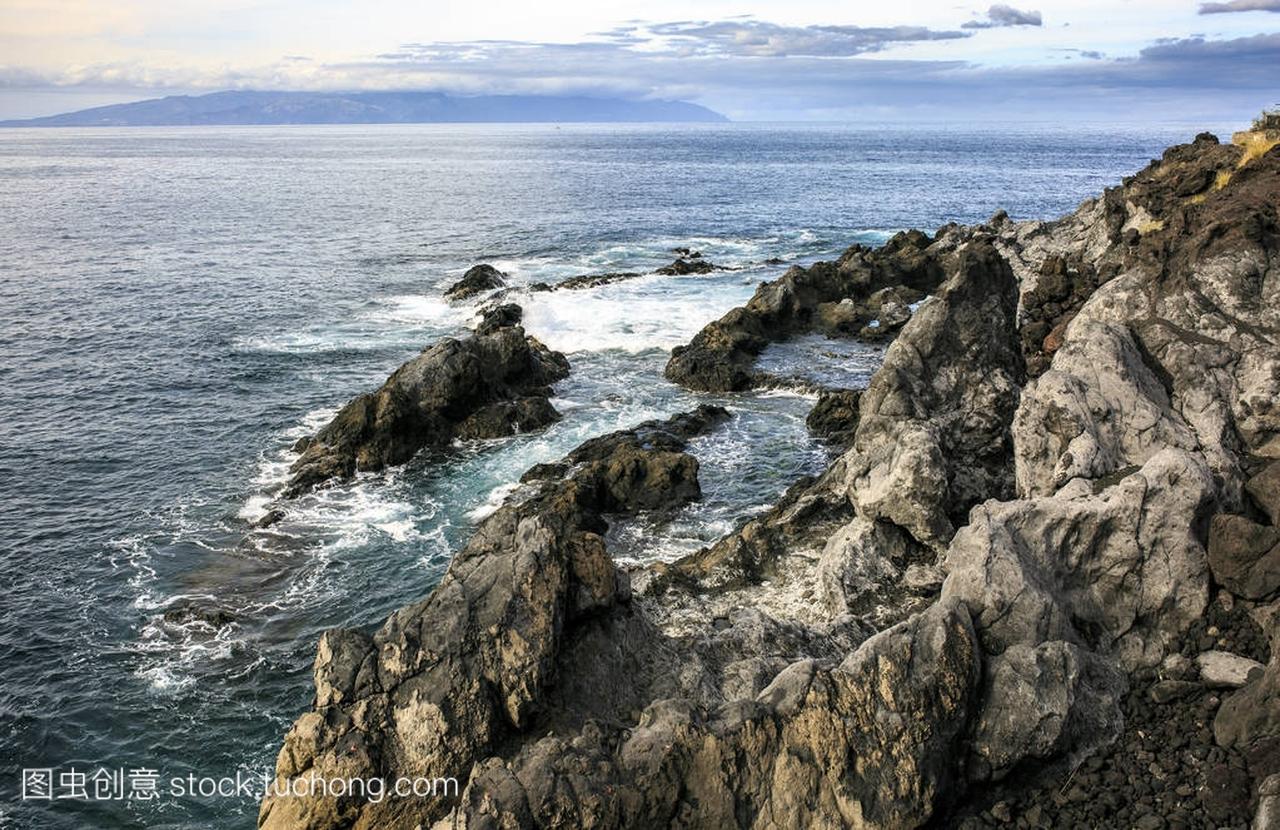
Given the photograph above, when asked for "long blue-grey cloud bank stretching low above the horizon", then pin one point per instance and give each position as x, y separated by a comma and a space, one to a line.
749, 70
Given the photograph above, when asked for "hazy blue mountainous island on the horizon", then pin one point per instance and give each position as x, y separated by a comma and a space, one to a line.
369, 108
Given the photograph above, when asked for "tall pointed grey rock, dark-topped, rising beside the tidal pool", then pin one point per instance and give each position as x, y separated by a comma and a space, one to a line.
934, 430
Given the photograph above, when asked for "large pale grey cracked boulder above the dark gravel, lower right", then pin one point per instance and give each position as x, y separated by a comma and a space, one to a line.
1122, 571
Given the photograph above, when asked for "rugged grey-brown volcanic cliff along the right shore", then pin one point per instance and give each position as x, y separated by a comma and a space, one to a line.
1062, 489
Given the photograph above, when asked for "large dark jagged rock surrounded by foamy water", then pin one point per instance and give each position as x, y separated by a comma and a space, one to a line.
493, 384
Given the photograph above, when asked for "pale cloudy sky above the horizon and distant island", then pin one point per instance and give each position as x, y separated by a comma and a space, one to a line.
1178, 61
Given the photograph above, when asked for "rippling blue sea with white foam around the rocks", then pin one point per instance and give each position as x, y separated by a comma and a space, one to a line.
177, 307
